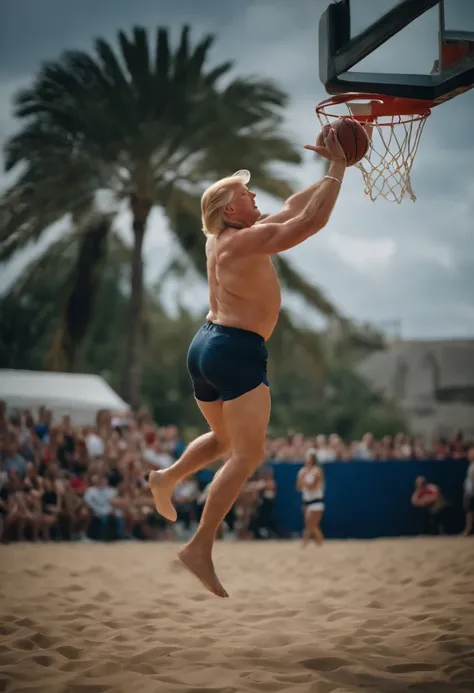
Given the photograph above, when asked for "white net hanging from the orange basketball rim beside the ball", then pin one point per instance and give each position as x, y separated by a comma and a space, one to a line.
393, 144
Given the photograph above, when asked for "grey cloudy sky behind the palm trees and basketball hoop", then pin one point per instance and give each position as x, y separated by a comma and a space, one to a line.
382, 262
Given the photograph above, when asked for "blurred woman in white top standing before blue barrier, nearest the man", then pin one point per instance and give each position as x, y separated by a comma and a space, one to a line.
310, 482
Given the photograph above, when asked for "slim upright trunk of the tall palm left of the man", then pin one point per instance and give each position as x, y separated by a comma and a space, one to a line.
134, 338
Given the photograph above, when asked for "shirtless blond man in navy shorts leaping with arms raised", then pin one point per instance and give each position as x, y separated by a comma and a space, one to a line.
227, 360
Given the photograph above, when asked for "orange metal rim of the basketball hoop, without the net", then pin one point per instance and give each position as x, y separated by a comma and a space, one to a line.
407, 110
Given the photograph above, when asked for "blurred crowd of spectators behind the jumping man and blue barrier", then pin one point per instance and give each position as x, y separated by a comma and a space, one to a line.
63, 481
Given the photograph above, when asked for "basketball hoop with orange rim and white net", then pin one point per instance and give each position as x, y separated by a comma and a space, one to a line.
394, 127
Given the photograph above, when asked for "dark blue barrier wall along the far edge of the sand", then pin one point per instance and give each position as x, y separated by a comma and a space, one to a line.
365, 500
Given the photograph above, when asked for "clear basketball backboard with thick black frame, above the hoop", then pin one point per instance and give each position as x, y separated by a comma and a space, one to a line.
415, 49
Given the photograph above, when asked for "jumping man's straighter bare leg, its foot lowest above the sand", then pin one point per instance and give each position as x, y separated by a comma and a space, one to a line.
247, 419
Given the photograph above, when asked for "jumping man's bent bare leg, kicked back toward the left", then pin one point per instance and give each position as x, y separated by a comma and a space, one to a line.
201, 452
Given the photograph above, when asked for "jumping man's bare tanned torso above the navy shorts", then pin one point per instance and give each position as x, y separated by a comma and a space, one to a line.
244, 292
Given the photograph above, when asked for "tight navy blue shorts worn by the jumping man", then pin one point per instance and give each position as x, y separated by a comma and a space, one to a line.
226, 362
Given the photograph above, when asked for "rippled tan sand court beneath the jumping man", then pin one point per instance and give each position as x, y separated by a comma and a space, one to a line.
385, 616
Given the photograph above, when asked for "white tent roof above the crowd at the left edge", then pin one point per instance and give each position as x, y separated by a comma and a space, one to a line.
76, 394
